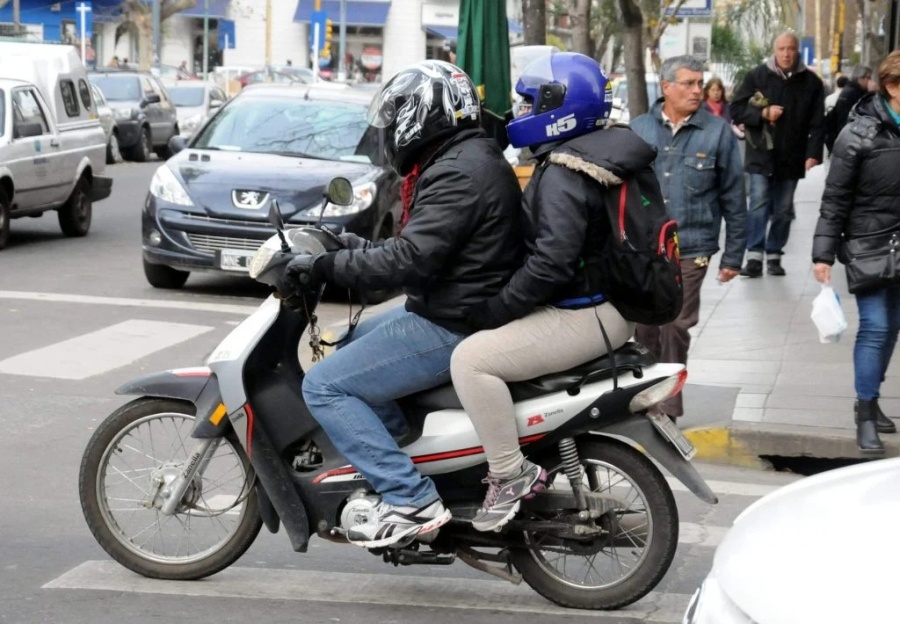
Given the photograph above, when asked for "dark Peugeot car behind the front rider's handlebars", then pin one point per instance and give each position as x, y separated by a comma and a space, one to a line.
207, 206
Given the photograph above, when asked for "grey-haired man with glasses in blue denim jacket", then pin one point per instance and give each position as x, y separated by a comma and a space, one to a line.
699, 167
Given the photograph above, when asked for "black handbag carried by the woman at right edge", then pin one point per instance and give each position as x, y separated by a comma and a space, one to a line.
871, 260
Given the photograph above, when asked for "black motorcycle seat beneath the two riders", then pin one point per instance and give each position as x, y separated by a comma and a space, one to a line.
631, 356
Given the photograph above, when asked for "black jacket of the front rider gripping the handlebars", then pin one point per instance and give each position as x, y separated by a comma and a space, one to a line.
463, 240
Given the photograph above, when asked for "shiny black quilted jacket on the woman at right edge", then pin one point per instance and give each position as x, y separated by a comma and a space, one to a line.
862, 190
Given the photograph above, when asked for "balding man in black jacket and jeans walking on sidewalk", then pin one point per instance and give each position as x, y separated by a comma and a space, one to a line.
781, 104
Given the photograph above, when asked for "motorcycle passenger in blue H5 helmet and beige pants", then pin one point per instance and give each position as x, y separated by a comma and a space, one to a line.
547, 318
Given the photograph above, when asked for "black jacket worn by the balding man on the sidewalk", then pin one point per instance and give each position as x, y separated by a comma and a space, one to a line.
797, 135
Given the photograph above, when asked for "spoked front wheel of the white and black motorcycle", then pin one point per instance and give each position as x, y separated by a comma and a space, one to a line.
128, 463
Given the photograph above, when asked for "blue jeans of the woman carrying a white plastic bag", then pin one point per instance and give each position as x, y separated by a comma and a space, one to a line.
879, 322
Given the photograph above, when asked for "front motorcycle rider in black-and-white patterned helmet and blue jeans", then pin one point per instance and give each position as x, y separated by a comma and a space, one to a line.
461, 243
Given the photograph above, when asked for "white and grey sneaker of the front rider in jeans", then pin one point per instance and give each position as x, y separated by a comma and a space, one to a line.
393, 524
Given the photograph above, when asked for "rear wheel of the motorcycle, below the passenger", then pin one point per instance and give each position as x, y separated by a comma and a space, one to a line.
612, 571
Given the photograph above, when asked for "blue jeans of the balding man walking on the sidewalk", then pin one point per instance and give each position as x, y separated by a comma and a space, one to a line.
773, 200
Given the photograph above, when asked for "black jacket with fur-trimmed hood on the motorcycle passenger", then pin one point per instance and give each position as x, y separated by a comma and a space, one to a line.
566, 220
